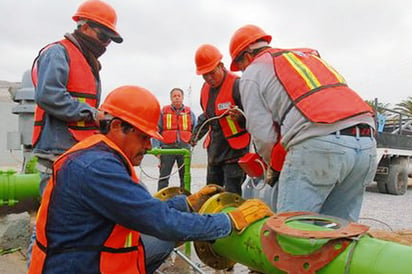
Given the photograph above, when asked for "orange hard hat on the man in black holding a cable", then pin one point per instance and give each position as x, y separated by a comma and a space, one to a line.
207, 57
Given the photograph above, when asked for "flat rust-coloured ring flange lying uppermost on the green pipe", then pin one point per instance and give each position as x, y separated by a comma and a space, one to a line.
342, 228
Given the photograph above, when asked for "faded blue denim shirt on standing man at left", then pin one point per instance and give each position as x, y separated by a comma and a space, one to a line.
60, 107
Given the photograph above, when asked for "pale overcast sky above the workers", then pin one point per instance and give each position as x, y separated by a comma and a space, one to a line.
368, 41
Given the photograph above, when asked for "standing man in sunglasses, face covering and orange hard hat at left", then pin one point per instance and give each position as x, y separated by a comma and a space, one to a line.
66, 76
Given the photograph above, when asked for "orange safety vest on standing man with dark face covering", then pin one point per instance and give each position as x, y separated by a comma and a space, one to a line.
81, 85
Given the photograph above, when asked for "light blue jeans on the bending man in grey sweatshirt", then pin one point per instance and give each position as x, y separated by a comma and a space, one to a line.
327, 175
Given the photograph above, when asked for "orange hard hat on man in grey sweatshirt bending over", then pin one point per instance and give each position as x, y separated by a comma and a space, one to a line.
242, 38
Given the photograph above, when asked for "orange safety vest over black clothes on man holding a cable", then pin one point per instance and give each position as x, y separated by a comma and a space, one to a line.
236, 135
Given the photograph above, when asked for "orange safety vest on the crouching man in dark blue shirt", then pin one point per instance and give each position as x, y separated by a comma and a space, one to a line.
123, 250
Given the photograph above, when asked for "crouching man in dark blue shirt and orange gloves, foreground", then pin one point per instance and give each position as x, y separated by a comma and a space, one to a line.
97, 217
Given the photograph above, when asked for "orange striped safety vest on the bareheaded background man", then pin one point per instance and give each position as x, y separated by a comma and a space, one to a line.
174, 122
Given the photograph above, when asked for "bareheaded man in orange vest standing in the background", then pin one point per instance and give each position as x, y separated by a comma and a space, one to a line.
175, 124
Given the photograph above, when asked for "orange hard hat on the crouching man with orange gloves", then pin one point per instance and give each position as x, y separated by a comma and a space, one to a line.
135, 105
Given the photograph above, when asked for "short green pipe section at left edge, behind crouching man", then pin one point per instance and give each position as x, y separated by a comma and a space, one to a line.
15, 186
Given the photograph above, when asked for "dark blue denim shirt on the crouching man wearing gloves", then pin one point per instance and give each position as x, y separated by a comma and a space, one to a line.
94, 192
